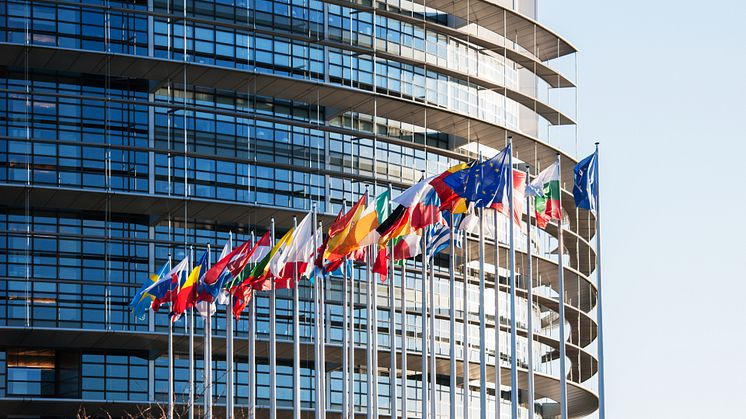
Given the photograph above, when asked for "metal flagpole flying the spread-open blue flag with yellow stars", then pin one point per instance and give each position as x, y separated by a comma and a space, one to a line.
511, 262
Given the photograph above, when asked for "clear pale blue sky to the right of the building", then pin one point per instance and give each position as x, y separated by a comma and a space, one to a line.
662, 86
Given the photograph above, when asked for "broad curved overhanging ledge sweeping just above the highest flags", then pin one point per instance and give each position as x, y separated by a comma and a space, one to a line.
331, 96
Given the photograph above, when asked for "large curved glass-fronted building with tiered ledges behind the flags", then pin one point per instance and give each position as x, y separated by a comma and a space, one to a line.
134, 130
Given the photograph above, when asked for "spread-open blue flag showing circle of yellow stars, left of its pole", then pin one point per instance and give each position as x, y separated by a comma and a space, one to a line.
483, 183
